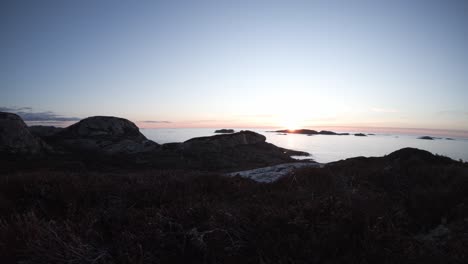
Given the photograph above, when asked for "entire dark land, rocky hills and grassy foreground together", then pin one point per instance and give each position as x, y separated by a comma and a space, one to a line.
100, 192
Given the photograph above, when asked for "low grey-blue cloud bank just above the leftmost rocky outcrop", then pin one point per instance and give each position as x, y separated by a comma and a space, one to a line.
27, 114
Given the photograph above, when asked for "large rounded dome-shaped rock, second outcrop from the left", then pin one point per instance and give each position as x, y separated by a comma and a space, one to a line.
104, 135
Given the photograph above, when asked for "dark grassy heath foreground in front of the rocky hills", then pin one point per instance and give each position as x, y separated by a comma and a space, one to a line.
358, 211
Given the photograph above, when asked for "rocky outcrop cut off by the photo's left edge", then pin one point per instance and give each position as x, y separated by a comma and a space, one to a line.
15, 138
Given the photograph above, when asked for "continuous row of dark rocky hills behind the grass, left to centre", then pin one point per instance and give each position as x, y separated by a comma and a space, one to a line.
102, 141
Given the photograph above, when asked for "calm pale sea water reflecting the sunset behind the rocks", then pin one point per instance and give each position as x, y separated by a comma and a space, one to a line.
331, 148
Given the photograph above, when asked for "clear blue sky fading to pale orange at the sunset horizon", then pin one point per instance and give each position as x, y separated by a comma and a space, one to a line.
238, 63
